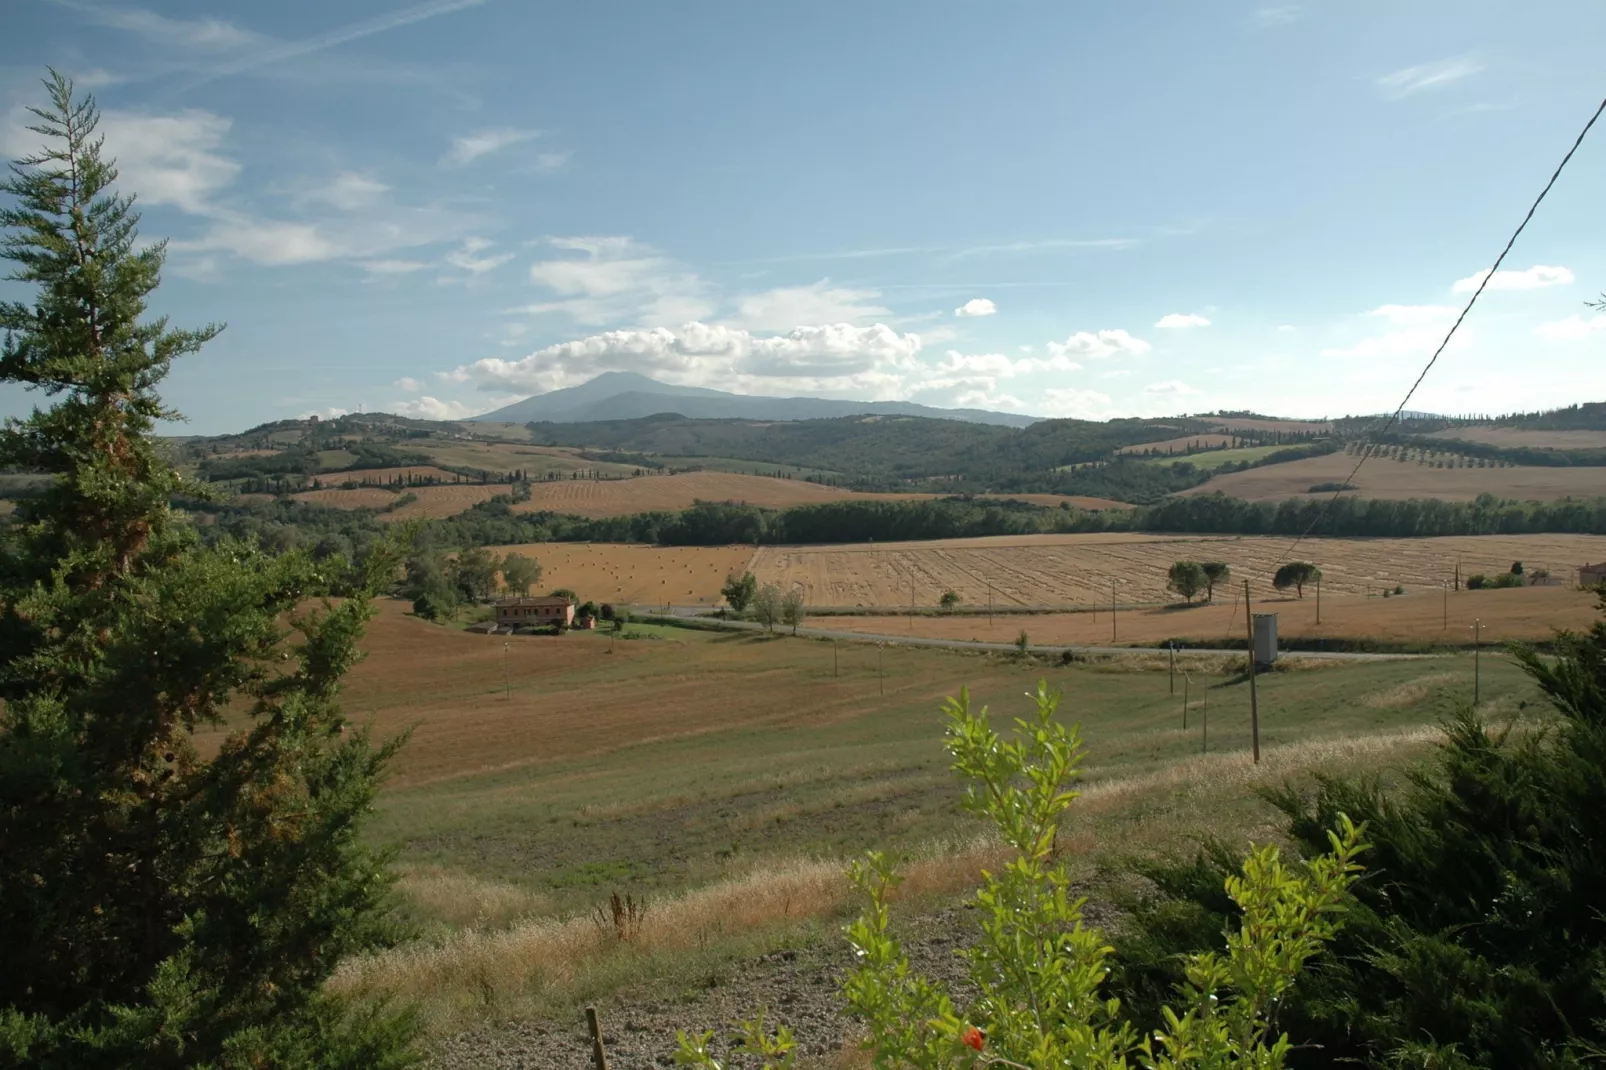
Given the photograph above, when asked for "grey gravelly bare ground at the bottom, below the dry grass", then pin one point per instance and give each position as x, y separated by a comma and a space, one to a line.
796, 989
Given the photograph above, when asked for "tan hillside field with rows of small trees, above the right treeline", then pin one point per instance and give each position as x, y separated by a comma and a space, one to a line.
1385, 478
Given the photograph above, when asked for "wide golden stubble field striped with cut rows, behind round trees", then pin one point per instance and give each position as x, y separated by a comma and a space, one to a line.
1080, 570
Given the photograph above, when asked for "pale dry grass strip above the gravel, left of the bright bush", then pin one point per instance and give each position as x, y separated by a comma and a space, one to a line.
505, 970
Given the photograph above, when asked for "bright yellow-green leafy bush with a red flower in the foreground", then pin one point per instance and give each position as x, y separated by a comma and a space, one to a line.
1038, 971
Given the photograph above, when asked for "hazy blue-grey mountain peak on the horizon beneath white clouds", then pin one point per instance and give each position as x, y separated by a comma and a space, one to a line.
630, 396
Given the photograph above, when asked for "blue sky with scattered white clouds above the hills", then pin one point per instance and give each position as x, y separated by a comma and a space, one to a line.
1048, 208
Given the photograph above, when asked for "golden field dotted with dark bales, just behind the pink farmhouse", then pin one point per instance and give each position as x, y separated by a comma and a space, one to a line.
637, 576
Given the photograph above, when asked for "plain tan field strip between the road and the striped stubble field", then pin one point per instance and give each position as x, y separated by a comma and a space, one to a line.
1419, 616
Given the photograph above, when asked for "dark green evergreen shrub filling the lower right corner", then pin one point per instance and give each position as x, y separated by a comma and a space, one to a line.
1480, 939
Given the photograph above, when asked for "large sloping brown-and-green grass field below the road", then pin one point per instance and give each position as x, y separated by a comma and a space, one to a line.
727, 778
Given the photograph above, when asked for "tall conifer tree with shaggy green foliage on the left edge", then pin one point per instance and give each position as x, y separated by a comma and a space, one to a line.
163, 904
